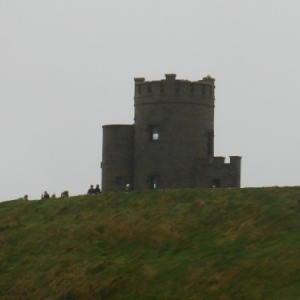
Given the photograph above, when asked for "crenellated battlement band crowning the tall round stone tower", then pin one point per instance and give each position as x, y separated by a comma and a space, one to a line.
172, 89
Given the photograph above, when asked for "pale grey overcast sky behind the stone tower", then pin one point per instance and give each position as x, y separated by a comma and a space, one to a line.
67, 68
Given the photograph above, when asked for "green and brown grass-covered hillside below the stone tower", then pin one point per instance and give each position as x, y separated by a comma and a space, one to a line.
177, 244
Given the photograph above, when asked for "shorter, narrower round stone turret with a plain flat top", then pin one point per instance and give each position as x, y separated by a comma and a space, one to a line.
117, 157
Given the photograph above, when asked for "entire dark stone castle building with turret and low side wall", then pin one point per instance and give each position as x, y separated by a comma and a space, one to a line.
171, 143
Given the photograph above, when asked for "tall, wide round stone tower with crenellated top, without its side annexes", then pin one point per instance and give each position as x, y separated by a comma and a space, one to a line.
174, 124
